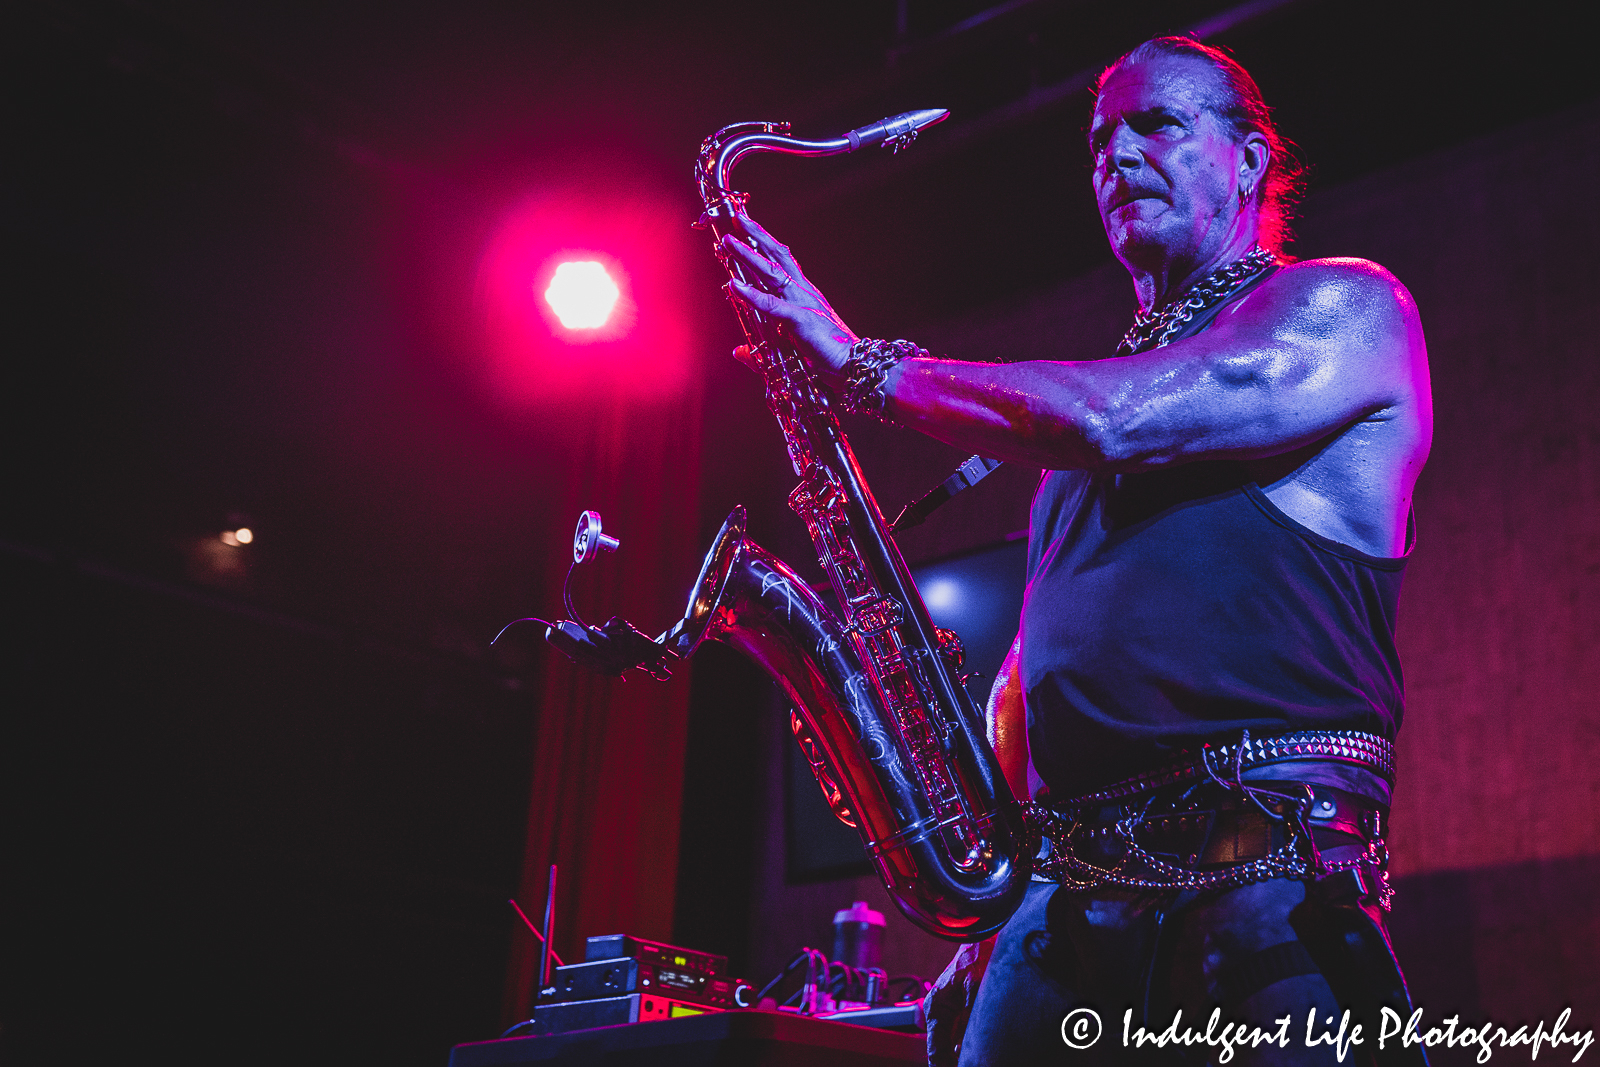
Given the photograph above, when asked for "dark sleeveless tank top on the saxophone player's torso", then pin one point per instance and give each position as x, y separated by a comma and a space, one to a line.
1177, 607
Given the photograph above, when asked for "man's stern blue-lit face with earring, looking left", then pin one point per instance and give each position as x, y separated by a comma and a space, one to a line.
1167, 170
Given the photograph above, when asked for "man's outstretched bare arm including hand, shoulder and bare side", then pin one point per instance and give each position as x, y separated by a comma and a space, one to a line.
1319, 375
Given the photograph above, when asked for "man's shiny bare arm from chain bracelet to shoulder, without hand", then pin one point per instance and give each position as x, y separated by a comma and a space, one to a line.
1318, 348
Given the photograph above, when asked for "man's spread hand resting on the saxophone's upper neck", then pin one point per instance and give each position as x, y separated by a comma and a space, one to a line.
790, 298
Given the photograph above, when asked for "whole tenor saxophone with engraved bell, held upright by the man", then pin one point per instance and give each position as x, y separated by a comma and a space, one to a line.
895, 740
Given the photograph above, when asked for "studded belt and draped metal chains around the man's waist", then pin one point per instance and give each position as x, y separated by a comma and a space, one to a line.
1102, 826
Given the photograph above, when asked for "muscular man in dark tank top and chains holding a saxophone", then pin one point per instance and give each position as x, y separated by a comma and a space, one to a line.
1206, 685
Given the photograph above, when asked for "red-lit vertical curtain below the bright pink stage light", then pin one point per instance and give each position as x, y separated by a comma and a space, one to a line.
609, 754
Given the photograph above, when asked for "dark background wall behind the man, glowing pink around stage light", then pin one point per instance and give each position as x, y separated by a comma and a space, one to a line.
273, 801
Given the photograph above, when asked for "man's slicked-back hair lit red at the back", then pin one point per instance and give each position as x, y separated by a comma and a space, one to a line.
1241, 106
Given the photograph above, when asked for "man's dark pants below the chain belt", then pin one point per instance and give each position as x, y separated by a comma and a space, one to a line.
1260, 953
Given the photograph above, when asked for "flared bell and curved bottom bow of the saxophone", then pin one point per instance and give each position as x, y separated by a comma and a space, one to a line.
958, 874
